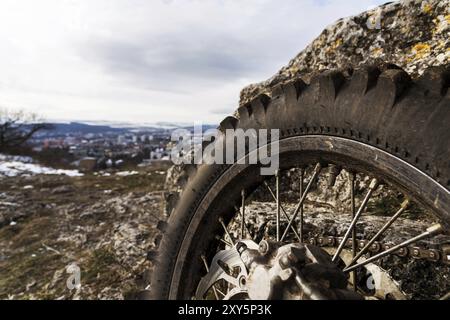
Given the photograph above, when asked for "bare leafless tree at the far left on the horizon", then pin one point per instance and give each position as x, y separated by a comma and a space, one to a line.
17, 127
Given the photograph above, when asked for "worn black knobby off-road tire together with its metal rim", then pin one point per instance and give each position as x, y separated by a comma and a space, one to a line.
379, 107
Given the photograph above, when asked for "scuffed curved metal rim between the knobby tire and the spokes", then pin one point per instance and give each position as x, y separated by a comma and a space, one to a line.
313, 149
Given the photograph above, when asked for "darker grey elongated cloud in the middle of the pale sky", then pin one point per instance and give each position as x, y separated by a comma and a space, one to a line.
173, 62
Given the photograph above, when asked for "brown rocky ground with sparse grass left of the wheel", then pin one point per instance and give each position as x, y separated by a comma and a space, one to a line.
104, 223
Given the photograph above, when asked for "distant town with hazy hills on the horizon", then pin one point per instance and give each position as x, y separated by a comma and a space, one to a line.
96, 147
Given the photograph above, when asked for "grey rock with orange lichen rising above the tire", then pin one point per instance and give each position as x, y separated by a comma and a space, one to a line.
411, 34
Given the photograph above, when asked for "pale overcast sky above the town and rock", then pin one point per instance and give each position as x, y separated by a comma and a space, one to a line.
150, 60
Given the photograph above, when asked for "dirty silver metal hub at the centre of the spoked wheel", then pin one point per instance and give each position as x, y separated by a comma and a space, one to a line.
275, 271
